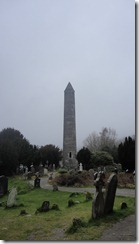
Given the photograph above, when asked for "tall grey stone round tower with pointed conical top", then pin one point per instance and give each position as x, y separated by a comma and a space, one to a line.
69, 133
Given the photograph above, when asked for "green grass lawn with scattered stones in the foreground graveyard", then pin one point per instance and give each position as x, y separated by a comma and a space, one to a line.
54, 224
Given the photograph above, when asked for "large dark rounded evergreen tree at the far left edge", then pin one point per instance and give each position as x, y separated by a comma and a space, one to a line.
14, 149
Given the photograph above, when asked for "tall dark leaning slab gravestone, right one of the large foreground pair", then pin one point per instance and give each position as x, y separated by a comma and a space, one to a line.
110, 193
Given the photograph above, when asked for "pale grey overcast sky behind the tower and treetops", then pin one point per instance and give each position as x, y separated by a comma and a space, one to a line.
44, 44
